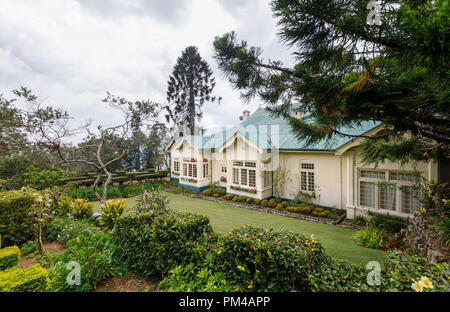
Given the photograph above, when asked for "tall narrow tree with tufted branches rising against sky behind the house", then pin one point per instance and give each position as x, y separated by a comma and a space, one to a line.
189, 87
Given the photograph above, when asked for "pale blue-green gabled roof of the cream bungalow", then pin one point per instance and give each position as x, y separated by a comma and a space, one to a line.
268, 132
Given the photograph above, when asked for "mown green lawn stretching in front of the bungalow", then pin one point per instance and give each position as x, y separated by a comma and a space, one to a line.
337, 241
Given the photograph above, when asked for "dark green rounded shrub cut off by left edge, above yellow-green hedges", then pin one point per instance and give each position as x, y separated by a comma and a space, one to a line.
15, 223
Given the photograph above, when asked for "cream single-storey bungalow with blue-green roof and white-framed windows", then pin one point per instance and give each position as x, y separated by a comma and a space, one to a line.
244, 161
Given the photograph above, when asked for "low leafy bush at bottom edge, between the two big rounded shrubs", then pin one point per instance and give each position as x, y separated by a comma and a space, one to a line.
192, 279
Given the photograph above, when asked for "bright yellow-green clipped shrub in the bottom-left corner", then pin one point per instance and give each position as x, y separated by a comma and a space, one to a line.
32, 279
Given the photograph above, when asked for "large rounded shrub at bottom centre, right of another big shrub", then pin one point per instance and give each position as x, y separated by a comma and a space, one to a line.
265, 260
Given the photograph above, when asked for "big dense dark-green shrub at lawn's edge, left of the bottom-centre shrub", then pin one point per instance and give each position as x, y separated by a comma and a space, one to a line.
154, 243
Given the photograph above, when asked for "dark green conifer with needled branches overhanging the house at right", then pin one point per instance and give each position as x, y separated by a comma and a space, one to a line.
384, 61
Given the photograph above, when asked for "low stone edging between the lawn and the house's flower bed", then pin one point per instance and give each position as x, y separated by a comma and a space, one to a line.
268, 210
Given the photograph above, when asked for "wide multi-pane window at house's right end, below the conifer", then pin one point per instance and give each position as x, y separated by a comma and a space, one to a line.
396, 193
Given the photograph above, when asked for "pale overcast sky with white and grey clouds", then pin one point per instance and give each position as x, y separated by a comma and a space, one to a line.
70, 53
